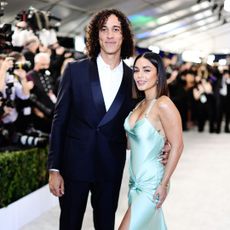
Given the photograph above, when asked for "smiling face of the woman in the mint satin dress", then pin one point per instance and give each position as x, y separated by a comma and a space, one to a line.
145, 74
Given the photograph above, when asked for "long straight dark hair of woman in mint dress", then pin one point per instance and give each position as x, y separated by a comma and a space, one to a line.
162, 87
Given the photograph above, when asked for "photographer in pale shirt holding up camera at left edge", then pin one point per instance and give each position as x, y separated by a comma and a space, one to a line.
13, 85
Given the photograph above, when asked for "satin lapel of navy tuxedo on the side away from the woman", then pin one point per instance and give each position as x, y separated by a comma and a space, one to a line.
96, 88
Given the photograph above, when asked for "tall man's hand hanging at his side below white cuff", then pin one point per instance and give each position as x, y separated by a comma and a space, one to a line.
56, 183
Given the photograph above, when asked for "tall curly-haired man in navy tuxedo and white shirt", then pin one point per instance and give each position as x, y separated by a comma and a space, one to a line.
88, 142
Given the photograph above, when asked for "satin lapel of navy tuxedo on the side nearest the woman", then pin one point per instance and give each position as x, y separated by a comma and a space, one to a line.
121, 94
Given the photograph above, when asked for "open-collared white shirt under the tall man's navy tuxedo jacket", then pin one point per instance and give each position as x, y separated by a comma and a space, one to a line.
110, 80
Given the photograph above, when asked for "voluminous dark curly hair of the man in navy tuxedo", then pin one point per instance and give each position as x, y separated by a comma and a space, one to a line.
97, 22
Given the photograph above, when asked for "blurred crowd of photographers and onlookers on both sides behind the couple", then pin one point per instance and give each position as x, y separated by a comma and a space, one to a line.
29, 79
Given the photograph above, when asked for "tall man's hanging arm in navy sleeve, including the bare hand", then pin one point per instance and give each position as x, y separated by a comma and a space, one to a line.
58, 131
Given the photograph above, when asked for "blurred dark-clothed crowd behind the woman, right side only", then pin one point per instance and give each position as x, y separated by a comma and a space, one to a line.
202, 95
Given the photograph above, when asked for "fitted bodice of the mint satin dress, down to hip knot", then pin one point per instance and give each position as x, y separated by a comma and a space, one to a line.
146, 144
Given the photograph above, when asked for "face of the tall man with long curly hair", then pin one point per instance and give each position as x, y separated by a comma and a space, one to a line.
110, 36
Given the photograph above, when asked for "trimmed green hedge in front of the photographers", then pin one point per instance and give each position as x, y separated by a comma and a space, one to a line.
21, 172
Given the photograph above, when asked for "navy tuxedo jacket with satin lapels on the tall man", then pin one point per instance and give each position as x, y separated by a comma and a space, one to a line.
88, 143
